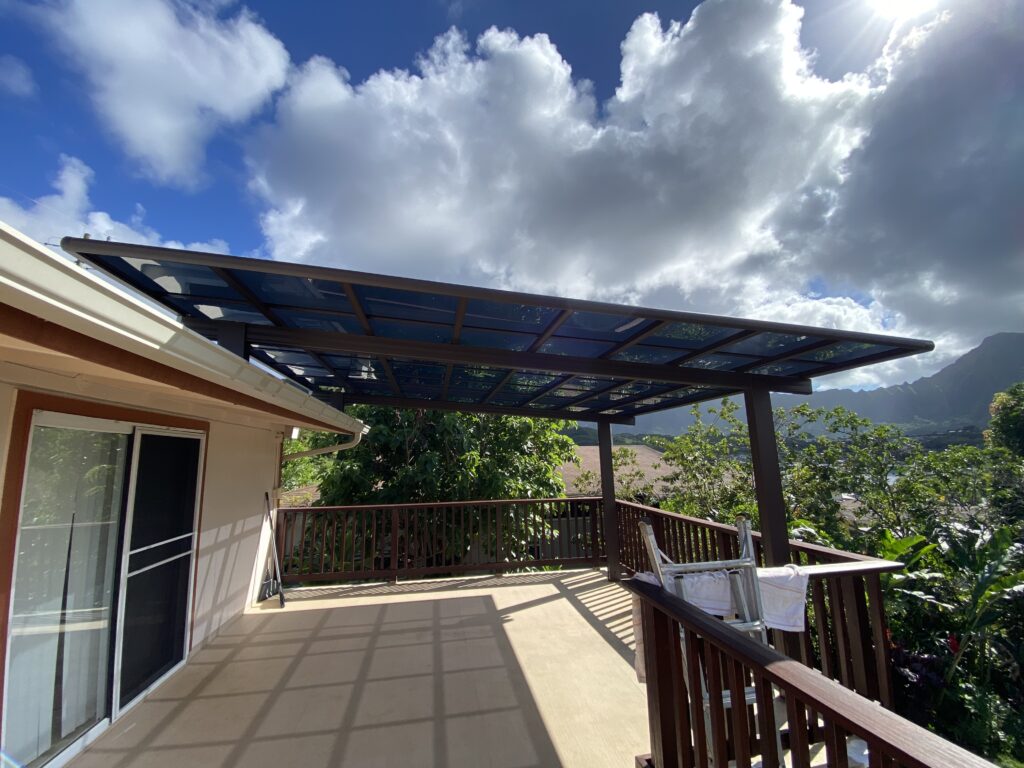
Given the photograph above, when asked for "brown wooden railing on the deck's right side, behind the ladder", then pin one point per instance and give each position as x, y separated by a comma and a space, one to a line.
846, 636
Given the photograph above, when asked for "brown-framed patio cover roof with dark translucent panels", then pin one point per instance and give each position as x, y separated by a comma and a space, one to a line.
355, 337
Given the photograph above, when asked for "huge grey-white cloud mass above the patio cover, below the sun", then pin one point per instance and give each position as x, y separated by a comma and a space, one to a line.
724, 176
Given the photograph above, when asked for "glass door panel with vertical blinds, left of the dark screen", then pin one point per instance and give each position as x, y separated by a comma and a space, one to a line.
61, 632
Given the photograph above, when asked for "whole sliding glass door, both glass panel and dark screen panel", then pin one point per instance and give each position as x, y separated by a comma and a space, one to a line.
103, 577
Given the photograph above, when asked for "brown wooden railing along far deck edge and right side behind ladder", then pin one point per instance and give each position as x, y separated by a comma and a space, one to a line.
846, 636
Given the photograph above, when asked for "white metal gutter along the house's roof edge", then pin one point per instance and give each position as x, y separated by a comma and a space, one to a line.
40, 283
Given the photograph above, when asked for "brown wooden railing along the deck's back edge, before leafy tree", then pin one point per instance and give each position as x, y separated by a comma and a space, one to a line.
394, 541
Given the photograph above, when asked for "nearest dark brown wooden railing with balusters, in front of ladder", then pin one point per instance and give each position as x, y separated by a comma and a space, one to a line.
796, 709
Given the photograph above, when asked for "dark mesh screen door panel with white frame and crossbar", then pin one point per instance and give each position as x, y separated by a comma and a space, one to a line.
160, 544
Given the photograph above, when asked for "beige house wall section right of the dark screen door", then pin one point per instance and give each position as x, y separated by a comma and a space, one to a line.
241, 466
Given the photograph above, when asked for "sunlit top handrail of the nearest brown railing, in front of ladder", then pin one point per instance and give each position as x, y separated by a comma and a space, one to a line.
884, 732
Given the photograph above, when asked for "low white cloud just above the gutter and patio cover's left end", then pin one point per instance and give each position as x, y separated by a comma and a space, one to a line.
69, 211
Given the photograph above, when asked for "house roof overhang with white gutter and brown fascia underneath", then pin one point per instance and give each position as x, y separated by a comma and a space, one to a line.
50, 303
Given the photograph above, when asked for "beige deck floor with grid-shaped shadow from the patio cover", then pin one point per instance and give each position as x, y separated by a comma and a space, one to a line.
531, 670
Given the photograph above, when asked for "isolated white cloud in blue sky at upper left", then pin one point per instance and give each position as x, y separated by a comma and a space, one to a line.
166, 75
